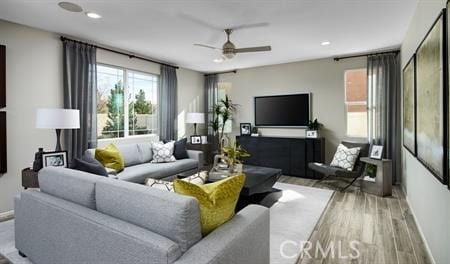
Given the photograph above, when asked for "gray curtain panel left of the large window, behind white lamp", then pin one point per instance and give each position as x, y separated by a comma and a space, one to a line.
80, 92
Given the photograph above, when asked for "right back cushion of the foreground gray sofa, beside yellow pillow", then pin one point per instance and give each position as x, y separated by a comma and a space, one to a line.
168, 214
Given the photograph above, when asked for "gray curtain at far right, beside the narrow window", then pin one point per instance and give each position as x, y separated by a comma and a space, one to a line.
384, 107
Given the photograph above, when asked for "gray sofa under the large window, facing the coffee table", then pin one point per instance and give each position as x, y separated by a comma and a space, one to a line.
138, 166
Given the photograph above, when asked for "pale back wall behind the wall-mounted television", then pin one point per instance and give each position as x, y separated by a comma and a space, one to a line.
323, 78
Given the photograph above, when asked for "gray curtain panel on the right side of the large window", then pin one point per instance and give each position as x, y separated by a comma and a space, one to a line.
167, 103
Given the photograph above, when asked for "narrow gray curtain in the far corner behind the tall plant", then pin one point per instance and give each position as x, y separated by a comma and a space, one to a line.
211, 98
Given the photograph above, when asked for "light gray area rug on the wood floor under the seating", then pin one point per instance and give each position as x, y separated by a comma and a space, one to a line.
293, 217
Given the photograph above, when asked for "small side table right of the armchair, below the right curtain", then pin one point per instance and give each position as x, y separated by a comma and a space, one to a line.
383, 180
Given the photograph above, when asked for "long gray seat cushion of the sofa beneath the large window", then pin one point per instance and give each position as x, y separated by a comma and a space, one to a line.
138, 173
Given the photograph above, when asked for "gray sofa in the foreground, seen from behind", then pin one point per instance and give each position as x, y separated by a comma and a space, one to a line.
78, 217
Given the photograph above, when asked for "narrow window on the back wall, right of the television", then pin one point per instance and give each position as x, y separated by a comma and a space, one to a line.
356, 102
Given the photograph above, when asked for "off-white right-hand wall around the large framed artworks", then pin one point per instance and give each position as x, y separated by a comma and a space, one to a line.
429, 199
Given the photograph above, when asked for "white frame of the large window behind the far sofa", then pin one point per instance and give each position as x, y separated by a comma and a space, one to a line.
125, 70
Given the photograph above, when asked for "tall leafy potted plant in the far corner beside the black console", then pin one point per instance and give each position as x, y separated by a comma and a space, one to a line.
222, 113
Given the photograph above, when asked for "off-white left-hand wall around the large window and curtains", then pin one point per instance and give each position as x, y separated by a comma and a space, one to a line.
34, 80
